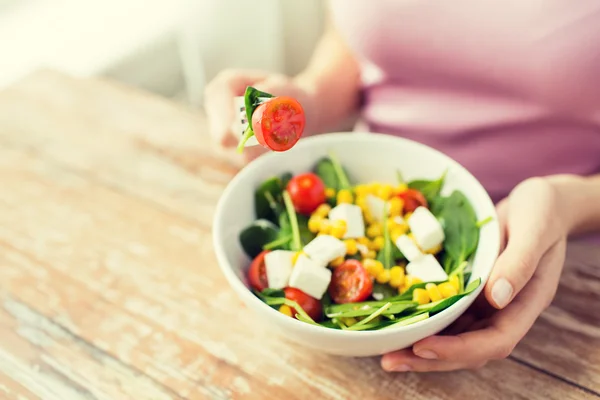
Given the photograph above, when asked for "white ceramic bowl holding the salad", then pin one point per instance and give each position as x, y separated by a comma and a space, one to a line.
367, 157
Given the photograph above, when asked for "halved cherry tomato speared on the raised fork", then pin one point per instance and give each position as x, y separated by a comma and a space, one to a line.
278, 123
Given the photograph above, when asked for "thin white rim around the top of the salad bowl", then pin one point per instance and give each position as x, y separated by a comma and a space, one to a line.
247, 294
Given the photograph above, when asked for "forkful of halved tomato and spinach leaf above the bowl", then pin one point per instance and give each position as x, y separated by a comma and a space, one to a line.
276, 122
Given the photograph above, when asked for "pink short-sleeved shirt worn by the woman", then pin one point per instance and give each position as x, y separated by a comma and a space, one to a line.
510, 89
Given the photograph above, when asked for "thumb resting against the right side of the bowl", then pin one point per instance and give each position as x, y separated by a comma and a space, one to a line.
529, 236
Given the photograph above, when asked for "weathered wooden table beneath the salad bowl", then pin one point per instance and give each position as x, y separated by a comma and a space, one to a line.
109, 287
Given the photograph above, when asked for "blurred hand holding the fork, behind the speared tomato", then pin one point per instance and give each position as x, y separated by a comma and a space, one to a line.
220, 105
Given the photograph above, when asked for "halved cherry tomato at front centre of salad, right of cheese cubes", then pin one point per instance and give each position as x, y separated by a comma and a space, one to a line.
350, 283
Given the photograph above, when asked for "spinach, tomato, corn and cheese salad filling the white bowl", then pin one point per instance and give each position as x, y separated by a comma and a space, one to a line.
361, 256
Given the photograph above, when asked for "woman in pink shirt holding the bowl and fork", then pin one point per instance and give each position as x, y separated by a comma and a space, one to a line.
510, 90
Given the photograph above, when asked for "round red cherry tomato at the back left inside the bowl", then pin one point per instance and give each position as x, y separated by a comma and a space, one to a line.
307, 192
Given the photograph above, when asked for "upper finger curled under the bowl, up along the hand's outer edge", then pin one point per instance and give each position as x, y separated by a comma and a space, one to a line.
508, 326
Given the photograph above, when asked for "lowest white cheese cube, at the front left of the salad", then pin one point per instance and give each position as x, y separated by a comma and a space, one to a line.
310, 277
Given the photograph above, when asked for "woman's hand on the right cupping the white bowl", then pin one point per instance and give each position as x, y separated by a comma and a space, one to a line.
521, 286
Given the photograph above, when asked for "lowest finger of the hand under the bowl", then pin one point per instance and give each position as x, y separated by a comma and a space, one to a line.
405, 361
